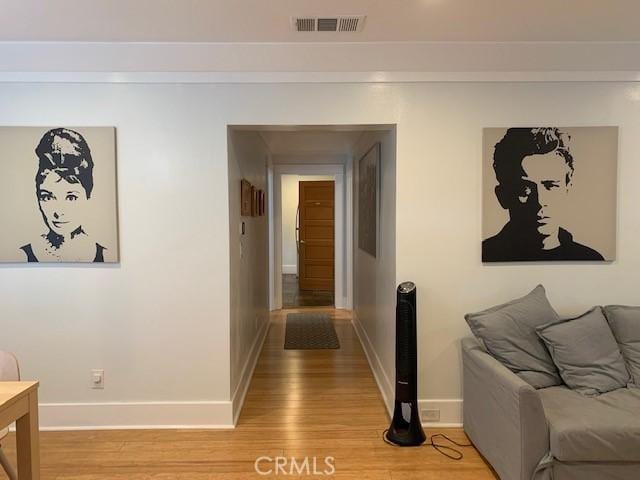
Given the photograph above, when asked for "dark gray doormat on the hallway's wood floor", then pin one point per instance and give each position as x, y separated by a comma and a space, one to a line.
310, 331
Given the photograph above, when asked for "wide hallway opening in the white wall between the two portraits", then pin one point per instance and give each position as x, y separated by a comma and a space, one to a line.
357, 163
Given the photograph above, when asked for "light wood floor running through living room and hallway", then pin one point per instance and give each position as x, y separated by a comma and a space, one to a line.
301, 403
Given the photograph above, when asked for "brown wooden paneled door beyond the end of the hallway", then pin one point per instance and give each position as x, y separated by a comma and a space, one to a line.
316, 248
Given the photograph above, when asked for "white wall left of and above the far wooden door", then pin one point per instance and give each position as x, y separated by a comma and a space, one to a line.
289, 208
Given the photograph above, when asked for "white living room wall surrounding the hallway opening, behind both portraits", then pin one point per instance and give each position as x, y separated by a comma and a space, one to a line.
159, 322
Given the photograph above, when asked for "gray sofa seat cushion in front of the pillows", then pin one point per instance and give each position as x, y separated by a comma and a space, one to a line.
593, 429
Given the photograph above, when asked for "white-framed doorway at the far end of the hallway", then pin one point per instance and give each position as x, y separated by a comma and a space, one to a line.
317, 255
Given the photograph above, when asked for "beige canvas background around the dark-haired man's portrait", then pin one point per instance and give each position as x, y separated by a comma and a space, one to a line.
590, 213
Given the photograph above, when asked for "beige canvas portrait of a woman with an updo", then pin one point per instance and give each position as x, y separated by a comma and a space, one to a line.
60, 195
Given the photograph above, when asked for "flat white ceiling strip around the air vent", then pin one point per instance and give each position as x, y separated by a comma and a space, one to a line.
269, 20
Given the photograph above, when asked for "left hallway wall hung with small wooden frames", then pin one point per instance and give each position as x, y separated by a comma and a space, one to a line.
249, 261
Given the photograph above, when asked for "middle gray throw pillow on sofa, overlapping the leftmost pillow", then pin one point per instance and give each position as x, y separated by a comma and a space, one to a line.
586, 353
